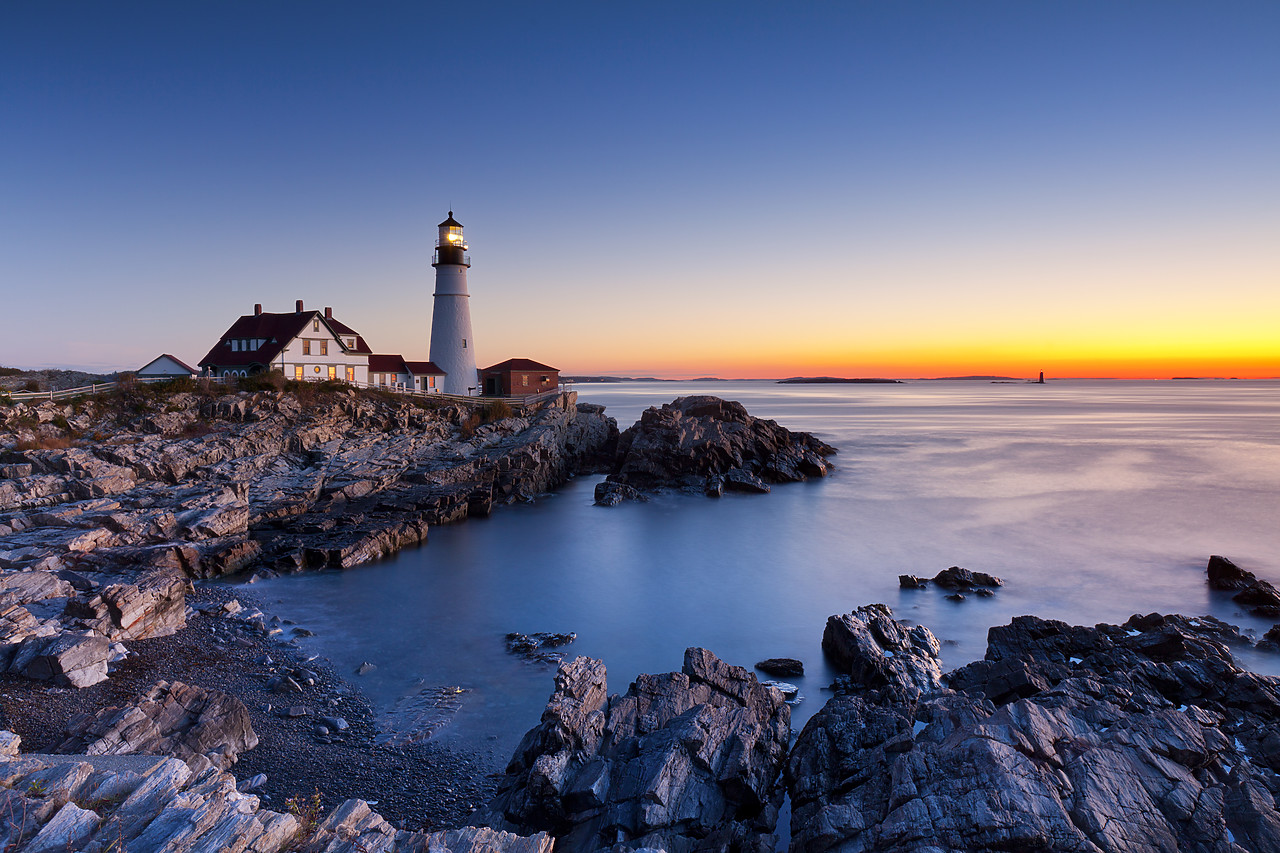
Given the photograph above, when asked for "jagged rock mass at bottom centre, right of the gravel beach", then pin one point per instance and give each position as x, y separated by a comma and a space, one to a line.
685, 761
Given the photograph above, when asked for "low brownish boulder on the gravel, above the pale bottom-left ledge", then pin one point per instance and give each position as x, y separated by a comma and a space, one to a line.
203, 728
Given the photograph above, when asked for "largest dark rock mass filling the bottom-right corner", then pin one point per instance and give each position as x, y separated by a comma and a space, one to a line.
1140, 737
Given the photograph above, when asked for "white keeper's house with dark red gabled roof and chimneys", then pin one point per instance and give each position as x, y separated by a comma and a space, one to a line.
303, 345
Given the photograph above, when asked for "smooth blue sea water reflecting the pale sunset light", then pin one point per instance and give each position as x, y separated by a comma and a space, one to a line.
1092, 500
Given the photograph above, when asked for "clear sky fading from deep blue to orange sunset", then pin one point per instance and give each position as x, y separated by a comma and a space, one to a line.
679, 190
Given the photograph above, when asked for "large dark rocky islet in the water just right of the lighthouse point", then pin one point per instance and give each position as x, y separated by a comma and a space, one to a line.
712, 445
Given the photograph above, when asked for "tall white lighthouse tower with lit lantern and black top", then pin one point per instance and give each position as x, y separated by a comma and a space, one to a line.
452, 348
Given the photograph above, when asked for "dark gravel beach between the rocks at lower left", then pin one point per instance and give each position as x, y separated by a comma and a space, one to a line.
418, 786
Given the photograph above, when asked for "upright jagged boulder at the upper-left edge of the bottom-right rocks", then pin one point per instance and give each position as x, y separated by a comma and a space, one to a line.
877, 651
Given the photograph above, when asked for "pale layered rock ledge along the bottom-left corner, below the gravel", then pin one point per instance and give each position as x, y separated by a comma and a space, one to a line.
153, 805
